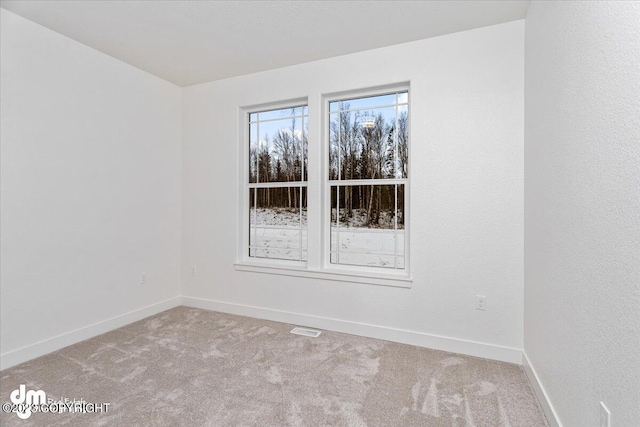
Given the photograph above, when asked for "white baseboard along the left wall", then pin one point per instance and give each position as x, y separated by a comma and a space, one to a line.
23, 354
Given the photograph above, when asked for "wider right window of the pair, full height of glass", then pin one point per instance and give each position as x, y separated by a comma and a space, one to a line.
368, 159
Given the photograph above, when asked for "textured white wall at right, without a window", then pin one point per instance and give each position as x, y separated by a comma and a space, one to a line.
582, 196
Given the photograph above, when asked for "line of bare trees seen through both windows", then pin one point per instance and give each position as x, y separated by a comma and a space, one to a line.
363, 145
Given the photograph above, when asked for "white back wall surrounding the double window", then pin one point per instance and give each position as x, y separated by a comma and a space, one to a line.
466, 195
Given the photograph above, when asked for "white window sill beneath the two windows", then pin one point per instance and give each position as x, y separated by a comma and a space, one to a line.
396, 280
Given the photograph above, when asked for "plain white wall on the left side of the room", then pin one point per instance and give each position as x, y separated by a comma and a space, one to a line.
90, 183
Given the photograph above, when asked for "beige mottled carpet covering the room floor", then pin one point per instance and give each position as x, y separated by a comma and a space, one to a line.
190, 367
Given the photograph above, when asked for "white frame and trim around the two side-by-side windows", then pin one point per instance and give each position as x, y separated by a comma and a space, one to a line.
318, 263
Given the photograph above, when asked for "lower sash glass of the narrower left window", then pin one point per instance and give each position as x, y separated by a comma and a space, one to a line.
278, 223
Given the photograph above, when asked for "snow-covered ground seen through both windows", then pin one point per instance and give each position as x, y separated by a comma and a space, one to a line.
282, 234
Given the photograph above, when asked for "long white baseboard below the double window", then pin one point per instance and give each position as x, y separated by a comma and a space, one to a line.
454, 345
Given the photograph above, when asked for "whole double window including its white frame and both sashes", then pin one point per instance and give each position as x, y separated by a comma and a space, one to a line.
350, 170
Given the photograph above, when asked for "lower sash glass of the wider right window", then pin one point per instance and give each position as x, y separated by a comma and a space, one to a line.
367, 225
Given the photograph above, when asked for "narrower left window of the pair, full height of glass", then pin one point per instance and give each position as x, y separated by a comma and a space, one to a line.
278, 184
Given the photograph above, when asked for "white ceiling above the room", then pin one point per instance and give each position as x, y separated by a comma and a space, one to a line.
190, 42
